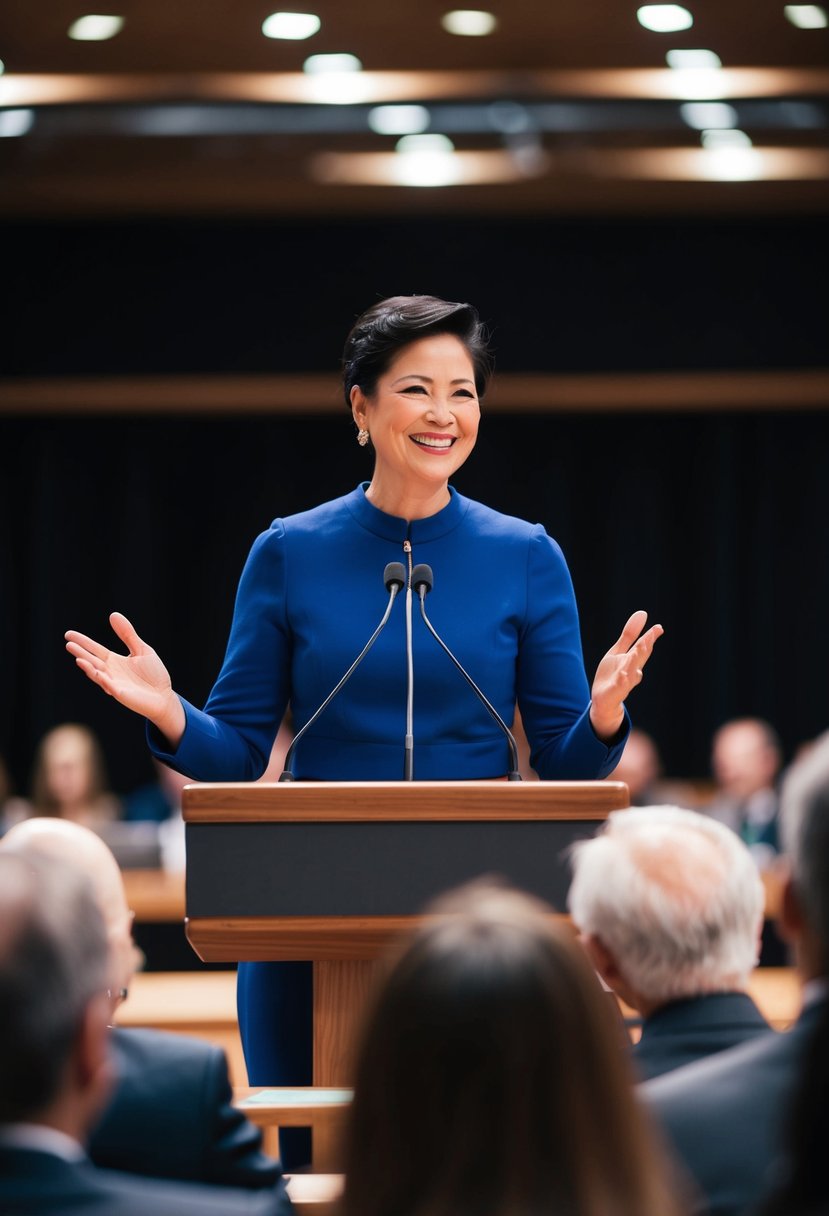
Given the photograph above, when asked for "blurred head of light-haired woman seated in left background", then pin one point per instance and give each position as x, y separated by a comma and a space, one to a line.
70, 776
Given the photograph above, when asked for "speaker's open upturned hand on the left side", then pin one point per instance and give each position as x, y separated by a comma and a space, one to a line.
138, 680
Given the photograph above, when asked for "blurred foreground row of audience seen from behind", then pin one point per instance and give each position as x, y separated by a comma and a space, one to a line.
494, 1074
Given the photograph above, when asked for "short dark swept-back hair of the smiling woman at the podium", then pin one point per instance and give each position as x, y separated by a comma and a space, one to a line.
386, 329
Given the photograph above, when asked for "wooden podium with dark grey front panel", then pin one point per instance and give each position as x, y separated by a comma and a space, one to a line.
334, 872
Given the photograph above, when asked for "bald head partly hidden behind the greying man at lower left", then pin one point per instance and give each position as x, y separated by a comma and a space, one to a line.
61, 840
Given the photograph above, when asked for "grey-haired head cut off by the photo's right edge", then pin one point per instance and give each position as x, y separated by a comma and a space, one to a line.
805, 837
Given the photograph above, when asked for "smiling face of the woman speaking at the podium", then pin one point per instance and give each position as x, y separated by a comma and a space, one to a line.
424, 415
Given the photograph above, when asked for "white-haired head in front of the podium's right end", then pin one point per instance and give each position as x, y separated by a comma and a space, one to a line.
674, 897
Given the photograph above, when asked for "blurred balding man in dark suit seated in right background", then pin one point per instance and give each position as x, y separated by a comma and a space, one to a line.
746, 762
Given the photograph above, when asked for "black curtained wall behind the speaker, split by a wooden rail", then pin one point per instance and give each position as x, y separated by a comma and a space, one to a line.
715, 522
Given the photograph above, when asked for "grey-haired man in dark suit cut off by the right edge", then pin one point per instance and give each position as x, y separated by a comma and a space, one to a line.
726, 1116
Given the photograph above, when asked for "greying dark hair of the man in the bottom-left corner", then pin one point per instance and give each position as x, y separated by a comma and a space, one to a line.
53, 962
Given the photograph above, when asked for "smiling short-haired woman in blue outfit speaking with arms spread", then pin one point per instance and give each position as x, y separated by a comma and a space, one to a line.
415, 373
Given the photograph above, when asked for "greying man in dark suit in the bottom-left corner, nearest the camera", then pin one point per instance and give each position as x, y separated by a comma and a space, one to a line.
54, 1060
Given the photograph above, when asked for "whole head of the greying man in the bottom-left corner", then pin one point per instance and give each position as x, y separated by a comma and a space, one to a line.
54, 1006
